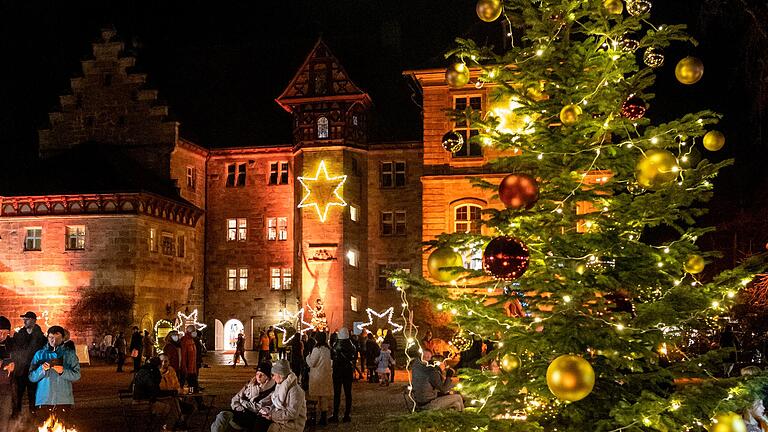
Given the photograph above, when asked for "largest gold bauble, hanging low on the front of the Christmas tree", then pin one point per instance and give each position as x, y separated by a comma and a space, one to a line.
570, 378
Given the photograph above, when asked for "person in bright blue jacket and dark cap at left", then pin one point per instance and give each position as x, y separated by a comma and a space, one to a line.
54, 368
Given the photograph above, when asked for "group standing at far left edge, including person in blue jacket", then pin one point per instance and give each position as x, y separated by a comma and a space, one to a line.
36, 366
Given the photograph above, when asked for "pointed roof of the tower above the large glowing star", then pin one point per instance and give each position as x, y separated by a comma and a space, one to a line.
321, 77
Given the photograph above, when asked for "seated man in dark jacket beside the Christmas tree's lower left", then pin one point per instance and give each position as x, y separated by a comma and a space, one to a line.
431, 388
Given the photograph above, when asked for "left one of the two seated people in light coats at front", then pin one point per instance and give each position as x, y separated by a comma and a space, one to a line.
247, 403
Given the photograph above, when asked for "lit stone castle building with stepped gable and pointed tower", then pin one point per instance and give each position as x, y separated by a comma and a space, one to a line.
248, 236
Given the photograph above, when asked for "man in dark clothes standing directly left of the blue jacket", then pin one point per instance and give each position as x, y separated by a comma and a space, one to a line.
26, 343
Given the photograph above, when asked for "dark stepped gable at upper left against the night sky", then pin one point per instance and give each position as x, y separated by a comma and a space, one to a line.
109, 105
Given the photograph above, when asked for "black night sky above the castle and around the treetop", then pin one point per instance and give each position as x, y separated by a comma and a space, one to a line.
219, 65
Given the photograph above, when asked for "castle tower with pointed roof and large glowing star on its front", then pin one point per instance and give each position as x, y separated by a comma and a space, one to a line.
329, 138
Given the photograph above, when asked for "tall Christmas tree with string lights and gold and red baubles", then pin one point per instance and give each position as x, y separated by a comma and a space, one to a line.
591, 295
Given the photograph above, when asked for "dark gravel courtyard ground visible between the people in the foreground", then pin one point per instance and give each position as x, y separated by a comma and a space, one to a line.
98, 407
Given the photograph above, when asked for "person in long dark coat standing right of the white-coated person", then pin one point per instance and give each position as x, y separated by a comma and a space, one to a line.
344, 358
